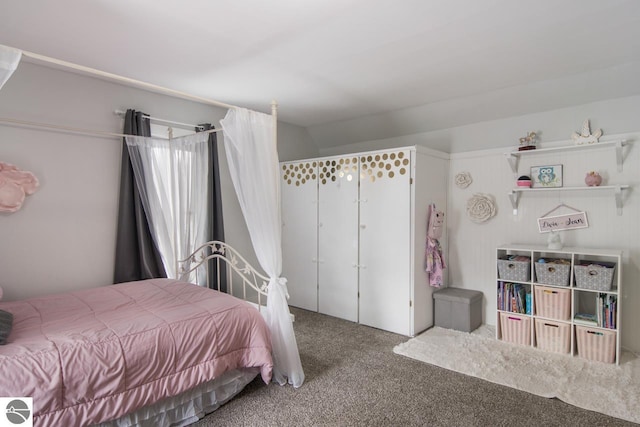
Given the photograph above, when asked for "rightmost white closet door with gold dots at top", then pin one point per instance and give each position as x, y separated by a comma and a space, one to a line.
385, 241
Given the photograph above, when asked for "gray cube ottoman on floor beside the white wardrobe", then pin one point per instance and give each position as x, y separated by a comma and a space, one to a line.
457, 308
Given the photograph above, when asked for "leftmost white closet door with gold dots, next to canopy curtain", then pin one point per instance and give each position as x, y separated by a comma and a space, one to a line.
299, 232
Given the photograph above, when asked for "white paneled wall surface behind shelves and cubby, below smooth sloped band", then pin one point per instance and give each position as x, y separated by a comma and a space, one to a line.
472, 246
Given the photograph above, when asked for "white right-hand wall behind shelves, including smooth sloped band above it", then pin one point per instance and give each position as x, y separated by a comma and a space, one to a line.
471, 247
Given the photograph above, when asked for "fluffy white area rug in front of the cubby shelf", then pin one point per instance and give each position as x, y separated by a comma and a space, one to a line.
607, 388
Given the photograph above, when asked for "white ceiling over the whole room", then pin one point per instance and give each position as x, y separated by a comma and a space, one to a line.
352, 70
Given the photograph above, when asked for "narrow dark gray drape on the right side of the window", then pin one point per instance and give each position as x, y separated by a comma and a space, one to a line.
214, 197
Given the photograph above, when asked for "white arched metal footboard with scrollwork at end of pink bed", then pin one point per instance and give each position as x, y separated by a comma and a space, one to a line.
242, 279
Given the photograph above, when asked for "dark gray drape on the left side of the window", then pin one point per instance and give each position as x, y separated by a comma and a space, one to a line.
137, 256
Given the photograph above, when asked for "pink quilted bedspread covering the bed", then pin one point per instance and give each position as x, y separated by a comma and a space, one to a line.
95, 355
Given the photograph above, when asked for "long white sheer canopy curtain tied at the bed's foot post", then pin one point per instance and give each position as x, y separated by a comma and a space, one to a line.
253, 163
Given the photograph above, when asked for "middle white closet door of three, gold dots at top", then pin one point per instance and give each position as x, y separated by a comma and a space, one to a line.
338, 237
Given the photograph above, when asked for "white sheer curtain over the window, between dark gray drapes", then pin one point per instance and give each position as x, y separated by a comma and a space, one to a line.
171, 176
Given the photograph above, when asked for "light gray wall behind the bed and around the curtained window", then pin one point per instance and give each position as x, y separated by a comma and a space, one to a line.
64, 236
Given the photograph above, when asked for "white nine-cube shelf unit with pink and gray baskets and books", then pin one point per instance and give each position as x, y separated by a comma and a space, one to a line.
568, 303
